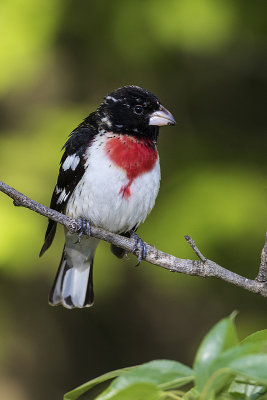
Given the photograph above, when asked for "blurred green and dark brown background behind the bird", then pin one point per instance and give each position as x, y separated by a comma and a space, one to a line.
206, 61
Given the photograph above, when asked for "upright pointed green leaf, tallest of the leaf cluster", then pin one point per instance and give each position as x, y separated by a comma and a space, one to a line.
220, 338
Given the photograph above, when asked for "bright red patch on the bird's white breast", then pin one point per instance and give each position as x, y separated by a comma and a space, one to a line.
134, 156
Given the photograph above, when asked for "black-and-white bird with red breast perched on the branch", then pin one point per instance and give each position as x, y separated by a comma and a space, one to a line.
109, 177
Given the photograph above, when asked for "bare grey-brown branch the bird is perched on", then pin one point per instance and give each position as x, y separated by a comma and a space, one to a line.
203, 267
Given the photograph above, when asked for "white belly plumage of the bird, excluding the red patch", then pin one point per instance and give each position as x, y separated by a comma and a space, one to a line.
98, 196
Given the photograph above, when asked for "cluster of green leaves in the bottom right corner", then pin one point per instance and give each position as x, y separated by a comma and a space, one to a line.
224, 368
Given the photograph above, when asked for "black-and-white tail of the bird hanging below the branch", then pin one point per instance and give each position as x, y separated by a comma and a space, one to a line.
73, 285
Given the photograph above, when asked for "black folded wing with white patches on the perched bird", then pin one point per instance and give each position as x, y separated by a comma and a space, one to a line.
70, 173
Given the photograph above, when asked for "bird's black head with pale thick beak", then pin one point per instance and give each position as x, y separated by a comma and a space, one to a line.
133, 110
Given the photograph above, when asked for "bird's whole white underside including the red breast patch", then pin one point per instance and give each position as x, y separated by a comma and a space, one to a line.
120, 183
